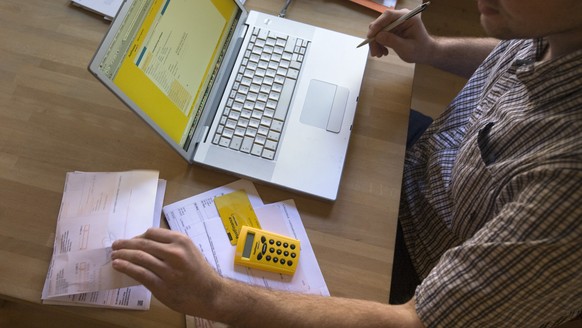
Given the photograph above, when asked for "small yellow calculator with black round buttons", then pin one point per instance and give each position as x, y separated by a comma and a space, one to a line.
266, 250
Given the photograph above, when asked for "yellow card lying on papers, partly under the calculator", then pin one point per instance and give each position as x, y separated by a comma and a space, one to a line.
236, 211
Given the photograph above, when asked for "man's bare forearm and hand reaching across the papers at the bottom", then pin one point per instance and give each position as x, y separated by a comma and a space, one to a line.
173, 269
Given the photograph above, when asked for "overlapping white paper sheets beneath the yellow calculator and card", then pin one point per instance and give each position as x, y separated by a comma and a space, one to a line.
198, 218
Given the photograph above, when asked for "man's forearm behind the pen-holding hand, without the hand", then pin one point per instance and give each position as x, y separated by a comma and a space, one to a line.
460, 56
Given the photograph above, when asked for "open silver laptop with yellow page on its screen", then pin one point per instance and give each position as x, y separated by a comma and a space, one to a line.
260, 96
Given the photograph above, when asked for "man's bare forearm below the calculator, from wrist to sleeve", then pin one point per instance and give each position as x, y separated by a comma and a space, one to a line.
237, 301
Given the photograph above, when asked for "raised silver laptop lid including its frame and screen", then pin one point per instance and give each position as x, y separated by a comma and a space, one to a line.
169, 60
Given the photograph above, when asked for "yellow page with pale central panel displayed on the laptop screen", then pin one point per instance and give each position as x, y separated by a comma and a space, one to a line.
170, 62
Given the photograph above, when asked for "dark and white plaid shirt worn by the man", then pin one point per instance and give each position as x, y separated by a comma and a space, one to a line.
492, 197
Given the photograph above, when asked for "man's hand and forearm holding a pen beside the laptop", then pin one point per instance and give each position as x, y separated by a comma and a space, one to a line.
413, 44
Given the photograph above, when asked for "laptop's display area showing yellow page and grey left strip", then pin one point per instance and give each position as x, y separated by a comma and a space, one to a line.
164, 58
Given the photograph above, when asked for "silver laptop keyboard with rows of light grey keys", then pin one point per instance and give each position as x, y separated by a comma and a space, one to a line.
255, 112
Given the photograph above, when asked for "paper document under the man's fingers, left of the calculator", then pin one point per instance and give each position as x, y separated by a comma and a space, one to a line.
97, 209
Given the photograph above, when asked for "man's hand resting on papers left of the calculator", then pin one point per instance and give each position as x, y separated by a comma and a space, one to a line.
171, 267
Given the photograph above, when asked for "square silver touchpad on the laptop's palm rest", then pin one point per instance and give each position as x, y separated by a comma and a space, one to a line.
324, 105
